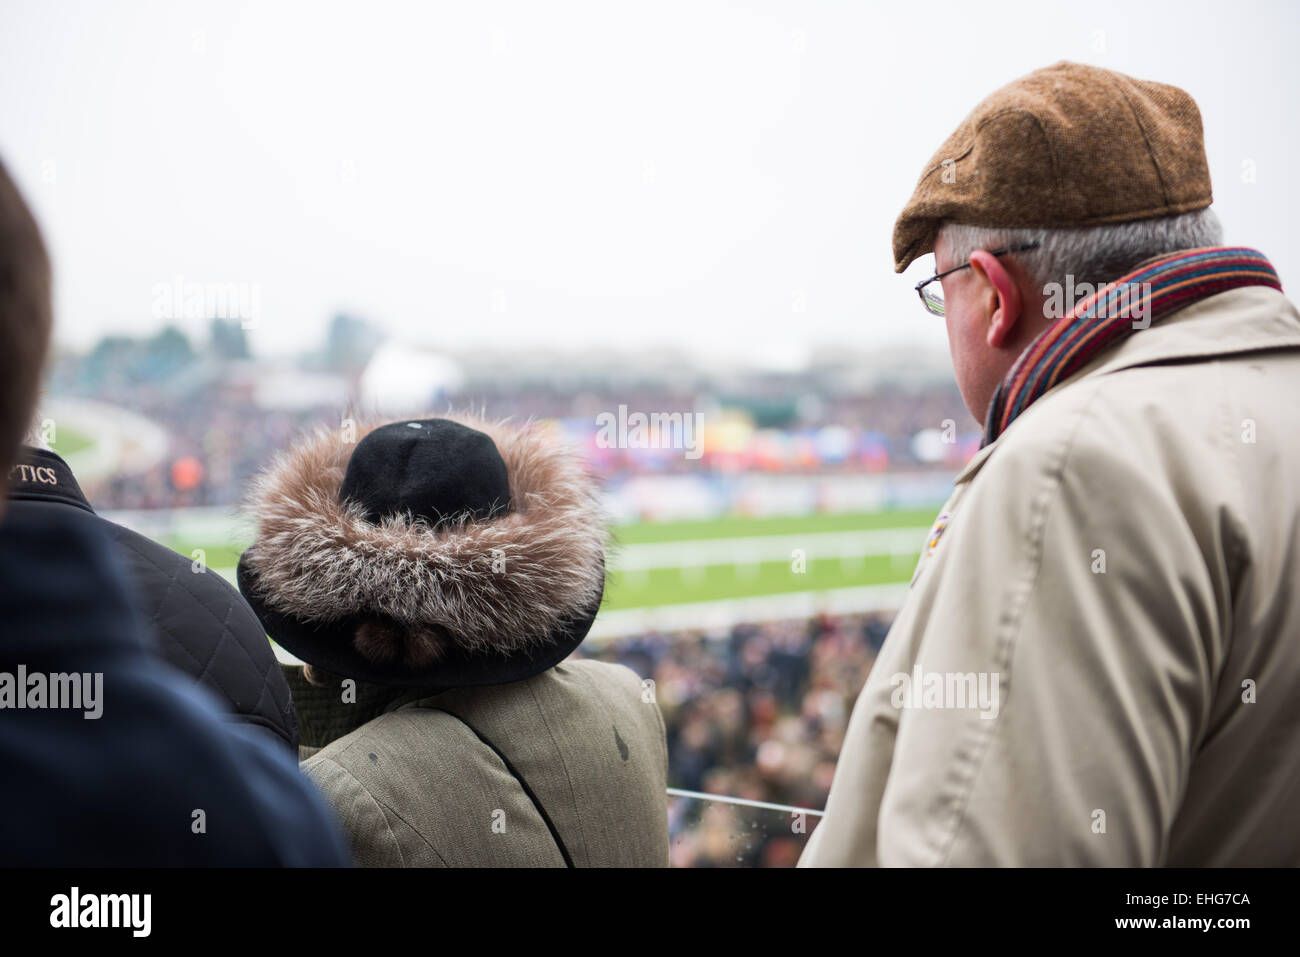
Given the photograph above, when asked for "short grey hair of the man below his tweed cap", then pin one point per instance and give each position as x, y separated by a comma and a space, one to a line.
1091, 254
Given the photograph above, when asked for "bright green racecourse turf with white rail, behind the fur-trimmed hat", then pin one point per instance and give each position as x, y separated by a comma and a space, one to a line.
718, 560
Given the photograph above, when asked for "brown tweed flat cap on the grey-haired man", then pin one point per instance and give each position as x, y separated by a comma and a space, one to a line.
1065, 146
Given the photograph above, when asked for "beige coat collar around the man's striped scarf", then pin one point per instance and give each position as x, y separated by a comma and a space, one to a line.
1253, 319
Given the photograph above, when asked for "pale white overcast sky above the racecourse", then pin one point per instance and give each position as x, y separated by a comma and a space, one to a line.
723, 177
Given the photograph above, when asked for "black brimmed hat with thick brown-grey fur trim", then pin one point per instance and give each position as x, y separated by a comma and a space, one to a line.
439, 553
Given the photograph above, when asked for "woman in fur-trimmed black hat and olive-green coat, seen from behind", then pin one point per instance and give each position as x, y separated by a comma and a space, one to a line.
435, 577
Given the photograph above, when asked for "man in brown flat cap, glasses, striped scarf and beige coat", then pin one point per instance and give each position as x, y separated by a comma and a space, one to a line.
1099, 659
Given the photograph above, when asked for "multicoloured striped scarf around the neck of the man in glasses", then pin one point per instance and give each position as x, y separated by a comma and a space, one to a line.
1149, 293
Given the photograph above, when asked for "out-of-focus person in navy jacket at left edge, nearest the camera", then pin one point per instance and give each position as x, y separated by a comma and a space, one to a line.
110, 756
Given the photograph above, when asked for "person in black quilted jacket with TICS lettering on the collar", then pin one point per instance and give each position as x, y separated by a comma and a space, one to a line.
202, 626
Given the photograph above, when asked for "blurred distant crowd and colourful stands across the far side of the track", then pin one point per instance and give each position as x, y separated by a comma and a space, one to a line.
222, 431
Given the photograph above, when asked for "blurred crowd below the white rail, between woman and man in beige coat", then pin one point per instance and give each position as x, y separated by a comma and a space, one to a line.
757, 713
